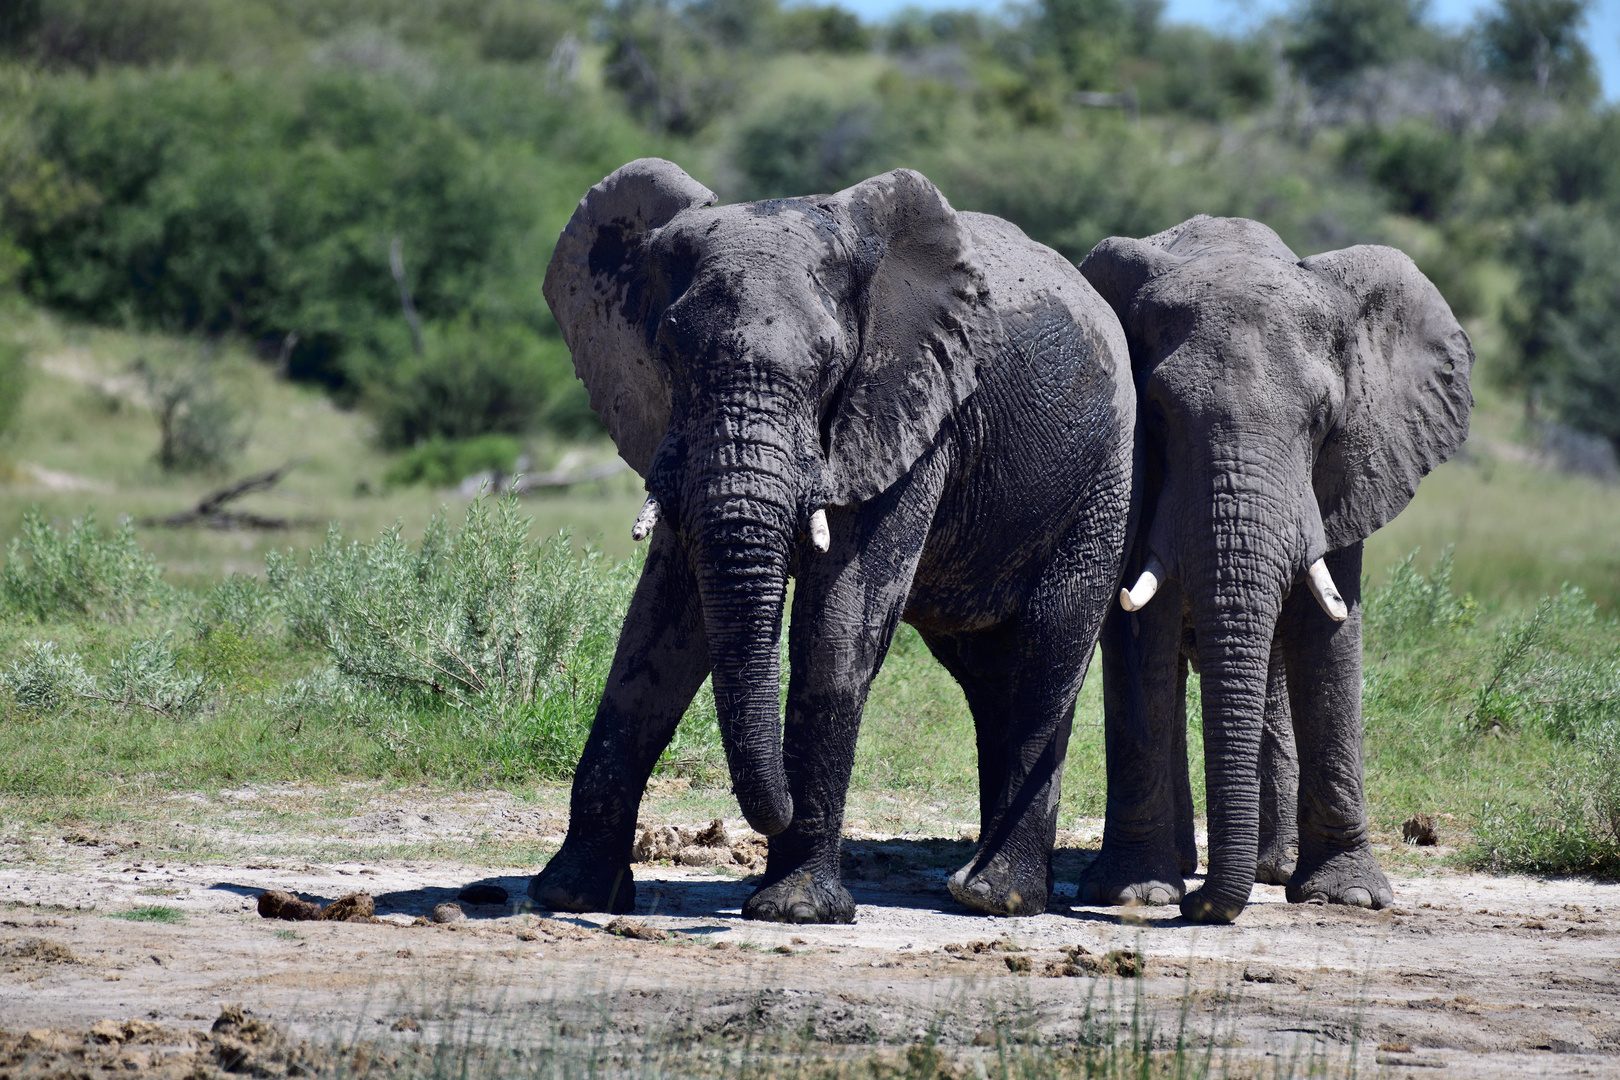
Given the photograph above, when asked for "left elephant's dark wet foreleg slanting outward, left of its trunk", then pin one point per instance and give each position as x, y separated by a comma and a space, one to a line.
657, 671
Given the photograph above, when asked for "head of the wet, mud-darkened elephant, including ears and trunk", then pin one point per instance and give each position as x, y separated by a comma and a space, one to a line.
757, 364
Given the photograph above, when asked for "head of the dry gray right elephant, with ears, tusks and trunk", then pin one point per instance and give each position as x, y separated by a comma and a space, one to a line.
1287, 409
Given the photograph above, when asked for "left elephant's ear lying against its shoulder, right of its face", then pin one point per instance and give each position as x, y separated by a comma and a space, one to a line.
926, 326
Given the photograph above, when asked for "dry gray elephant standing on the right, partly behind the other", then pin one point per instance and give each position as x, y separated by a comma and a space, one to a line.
1289, 409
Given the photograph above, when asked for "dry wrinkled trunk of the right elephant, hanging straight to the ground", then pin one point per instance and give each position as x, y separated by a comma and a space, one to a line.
1235, 579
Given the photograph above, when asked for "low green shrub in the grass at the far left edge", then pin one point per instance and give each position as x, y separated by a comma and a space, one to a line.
80, 574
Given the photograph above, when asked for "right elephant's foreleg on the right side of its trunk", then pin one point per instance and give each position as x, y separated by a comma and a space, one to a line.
1324, 692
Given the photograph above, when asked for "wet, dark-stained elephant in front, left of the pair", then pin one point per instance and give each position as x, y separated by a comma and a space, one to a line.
960, 402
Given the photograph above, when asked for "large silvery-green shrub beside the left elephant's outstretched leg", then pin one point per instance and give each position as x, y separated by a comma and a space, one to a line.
506, 639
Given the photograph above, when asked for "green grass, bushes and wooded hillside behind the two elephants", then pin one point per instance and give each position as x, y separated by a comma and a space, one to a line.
237, 234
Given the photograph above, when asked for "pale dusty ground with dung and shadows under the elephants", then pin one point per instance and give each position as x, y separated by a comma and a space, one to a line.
1467, 976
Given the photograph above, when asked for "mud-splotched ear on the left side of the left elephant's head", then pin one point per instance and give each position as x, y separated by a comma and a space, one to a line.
603, 292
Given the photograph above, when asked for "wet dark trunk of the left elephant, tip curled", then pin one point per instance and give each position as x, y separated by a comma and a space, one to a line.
741, 525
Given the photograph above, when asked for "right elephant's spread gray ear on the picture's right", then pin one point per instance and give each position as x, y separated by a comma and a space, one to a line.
1407, 393
